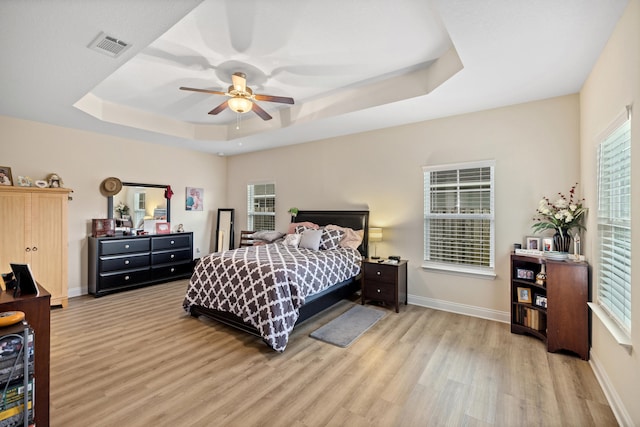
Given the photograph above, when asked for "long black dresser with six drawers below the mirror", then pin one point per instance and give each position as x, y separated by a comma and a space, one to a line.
121, 263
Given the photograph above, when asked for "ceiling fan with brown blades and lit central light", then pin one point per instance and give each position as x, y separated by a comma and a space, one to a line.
241, 98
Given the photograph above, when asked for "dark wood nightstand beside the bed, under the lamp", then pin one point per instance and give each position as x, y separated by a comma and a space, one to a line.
385, 283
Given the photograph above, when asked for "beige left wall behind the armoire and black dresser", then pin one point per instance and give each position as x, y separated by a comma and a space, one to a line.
84, 159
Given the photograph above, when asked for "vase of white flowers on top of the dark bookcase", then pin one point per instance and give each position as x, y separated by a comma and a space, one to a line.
562, 215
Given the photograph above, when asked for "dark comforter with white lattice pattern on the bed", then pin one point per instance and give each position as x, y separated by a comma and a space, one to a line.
266, 285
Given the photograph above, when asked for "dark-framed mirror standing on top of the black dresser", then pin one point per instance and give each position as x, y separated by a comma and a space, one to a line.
143, 201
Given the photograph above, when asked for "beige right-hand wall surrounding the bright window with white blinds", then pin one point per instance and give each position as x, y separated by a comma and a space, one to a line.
613, 83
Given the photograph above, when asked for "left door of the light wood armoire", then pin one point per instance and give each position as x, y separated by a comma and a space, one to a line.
15, 208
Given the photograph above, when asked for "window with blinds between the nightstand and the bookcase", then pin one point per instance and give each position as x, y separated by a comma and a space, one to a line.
459, 223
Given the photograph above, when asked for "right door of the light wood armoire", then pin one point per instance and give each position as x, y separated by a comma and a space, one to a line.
49, 242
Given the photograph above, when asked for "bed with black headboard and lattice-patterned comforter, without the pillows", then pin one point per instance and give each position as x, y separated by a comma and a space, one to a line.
266, 290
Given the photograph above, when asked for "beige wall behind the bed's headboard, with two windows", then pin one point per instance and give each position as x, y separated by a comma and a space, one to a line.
535, 147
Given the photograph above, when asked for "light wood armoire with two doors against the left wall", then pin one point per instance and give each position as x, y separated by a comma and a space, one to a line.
33, 230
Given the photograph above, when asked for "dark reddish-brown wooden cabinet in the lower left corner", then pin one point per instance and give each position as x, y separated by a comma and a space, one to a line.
37, 313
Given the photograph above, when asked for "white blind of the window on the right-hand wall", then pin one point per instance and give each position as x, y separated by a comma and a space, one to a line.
614, 225
